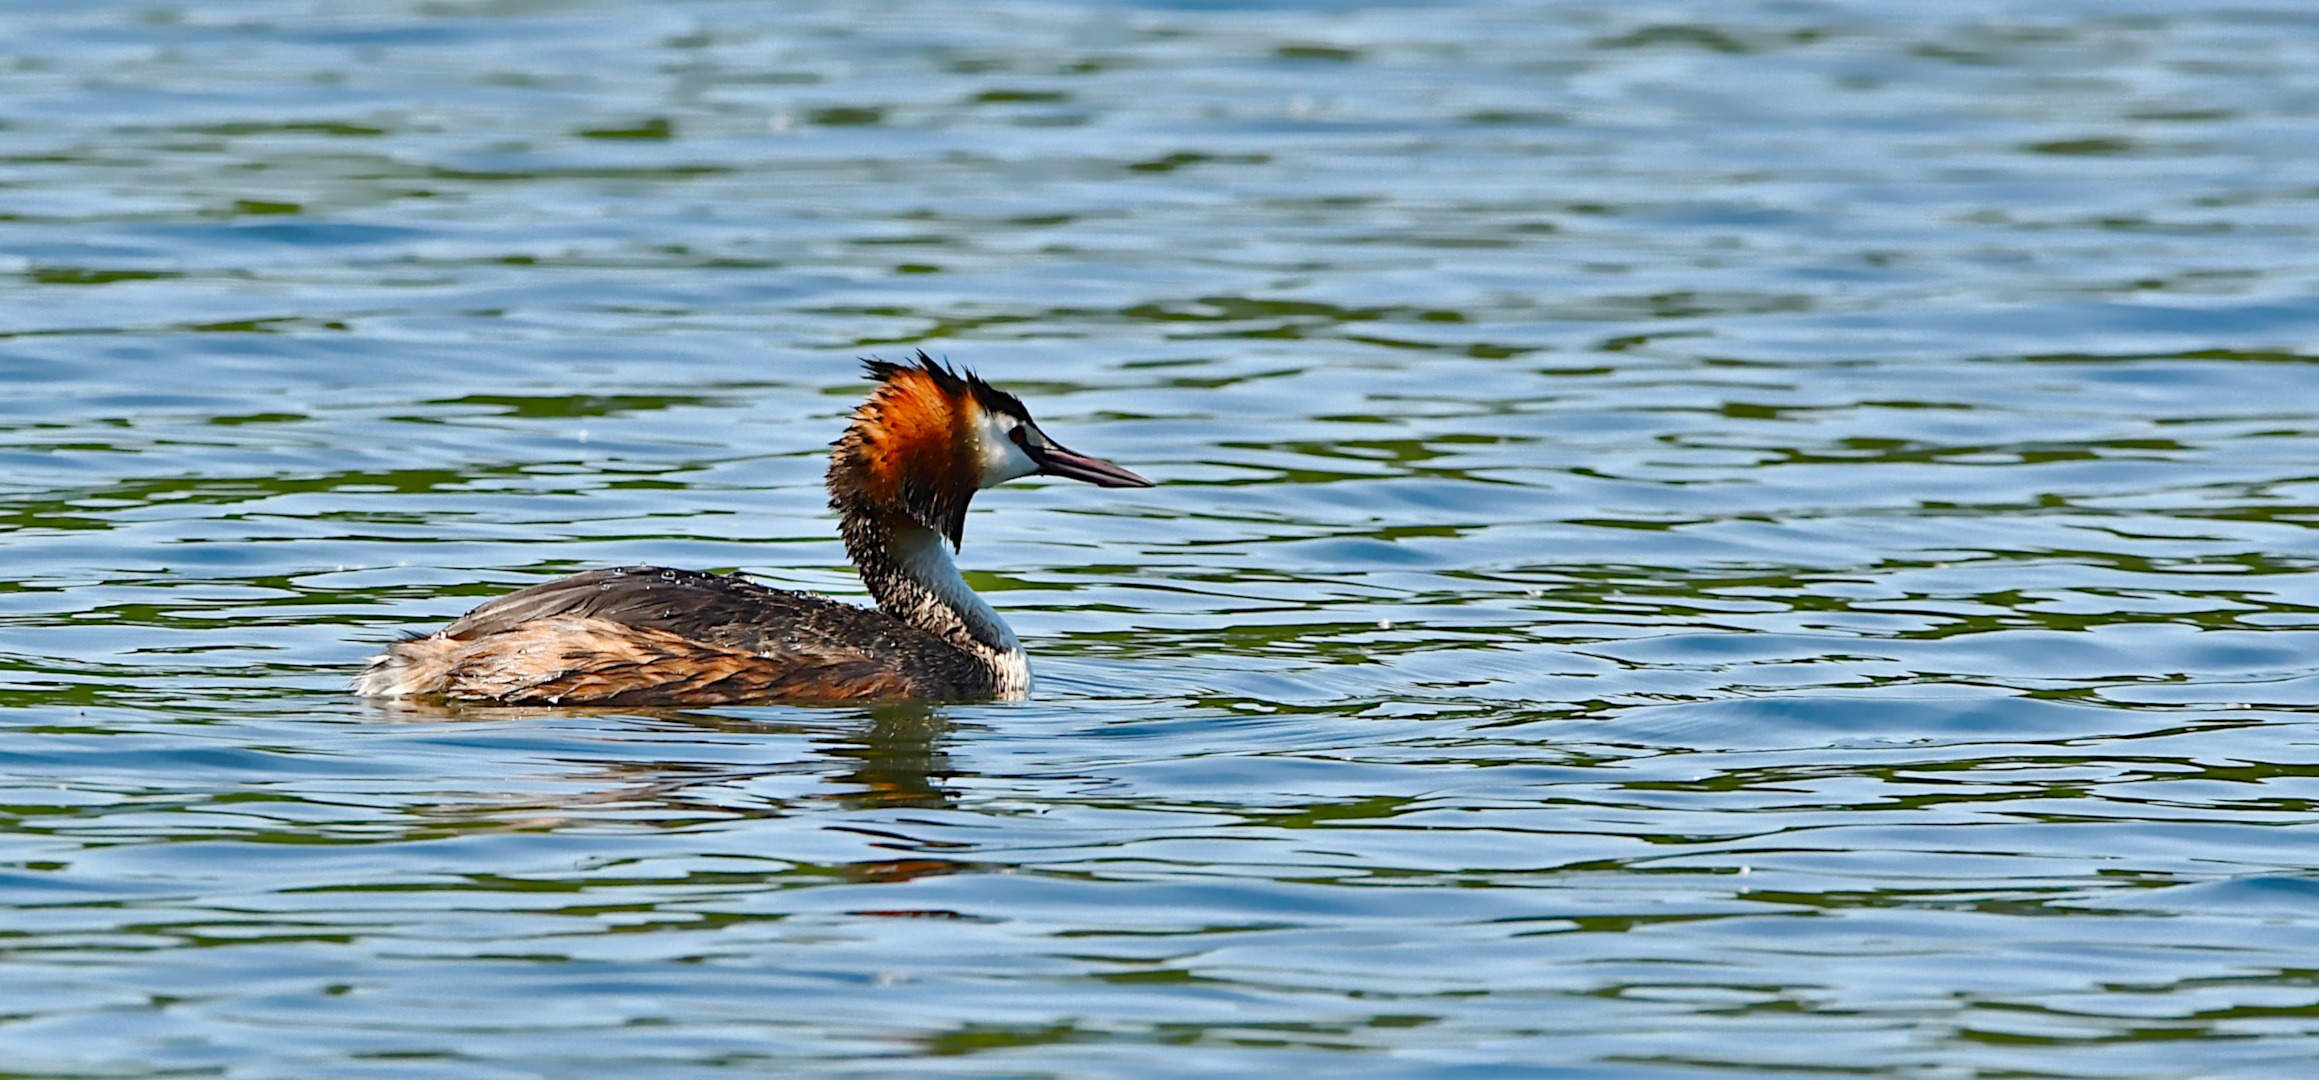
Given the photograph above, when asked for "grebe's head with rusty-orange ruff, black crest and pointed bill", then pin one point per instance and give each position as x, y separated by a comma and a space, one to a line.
931, 437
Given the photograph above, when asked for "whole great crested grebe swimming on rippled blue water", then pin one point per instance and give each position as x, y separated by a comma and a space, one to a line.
901, 481
